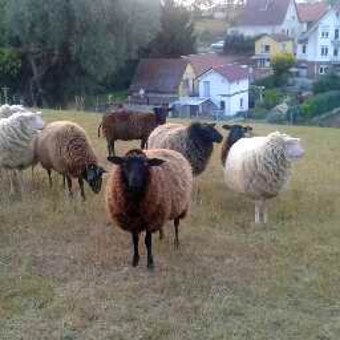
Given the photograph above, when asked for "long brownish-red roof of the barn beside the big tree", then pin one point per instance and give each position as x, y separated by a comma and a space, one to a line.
159, 75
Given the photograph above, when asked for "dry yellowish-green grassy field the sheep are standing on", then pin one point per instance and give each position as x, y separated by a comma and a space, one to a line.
65, 271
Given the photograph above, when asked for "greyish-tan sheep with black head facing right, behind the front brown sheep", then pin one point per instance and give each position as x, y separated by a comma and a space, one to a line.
194, 142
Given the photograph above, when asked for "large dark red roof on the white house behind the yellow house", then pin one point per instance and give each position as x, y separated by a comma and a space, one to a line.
263, 12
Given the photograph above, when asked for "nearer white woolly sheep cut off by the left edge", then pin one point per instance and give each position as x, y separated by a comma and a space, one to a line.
17, 135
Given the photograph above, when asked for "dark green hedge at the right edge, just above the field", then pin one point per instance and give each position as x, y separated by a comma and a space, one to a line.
320, 104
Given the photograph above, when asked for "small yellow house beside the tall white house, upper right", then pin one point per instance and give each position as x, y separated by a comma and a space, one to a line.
268, 46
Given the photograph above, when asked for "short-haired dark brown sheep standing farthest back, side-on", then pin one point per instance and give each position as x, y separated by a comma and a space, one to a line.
127, 125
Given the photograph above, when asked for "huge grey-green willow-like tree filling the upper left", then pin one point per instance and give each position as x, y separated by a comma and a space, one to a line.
71, 46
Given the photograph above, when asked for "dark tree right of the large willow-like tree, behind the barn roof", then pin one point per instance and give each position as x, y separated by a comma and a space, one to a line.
176, 37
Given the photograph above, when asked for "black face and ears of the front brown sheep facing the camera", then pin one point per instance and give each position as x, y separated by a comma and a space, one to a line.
135, 171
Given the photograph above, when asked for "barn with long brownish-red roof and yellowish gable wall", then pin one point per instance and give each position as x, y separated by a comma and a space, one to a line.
159, 81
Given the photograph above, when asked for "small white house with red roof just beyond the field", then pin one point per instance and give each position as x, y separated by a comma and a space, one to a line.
227, 86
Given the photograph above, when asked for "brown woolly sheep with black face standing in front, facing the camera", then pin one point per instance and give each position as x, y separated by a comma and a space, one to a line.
145, 189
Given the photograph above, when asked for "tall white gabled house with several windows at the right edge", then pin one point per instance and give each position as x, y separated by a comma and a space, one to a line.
318, 50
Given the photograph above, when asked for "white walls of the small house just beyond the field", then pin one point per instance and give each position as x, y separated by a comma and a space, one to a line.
222, 90
